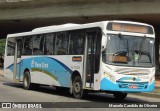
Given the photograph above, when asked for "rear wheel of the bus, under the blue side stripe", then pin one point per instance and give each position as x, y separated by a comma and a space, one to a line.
26, 81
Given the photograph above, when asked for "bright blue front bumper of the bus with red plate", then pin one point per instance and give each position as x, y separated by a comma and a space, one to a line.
107, 85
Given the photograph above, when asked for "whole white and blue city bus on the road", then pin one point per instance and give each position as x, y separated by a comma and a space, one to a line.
108, 56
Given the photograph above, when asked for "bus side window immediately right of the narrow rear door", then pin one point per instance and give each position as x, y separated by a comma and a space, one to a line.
27, 49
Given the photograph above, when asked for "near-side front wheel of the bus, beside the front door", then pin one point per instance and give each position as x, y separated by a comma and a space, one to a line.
78, 91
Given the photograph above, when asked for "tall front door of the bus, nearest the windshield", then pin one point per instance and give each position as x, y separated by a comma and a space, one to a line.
93, 57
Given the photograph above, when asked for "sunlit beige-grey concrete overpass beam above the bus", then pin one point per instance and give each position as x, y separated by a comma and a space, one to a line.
83, 8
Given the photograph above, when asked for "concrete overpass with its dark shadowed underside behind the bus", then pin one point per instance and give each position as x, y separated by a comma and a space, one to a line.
24, 15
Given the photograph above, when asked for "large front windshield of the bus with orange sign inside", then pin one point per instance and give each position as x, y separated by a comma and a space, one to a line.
127, 50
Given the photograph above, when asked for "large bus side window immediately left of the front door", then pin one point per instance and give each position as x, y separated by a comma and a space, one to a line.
76, 46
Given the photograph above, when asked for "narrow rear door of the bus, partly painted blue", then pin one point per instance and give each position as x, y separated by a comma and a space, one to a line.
17, 60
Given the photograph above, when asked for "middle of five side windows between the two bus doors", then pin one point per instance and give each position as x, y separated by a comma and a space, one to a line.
49, 44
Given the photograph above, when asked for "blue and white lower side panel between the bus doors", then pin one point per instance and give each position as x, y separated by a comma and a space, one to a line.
51, 70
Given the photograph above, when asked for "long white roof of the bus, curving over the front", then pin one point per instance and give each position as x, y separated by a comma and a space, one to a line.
69, 26
